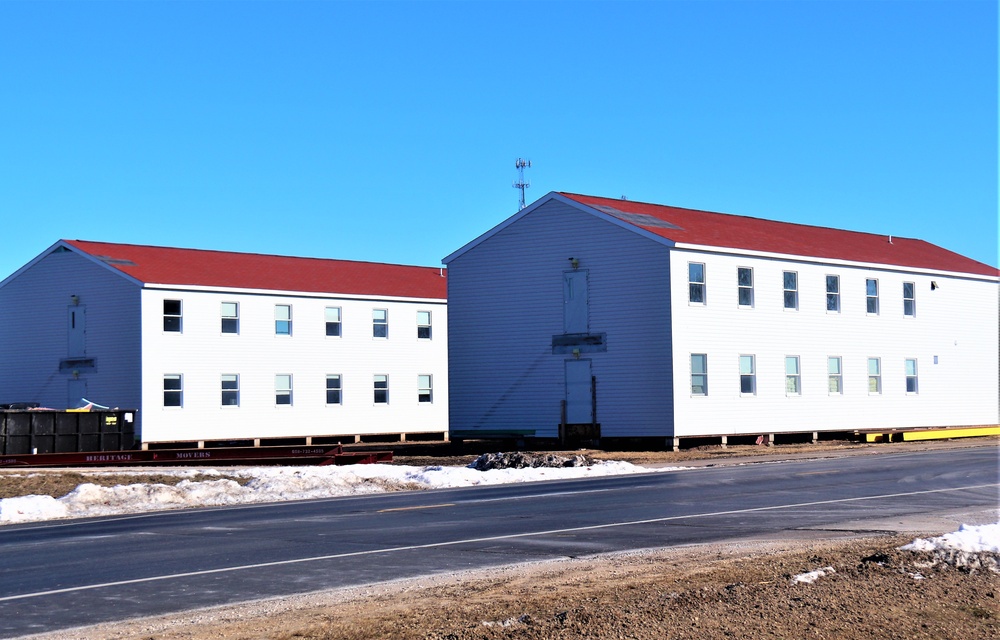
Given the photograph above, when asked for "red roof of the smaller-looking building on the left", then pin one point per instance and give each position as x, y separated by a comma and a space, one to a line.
166, 265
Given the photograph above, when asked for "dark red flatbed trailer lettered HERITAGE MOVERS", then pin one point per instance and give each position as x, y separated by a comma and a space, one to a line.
289, 455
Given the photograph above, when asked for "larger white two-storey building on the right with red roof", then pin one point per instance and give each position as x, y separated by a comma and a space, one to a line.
654, 321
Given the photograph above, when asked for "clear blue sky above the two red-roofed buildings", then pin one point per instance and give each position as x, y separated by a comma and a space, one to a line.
387, 131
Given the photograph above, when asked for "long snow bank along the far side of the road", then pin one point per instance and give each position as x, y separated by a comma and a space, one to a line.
277, 484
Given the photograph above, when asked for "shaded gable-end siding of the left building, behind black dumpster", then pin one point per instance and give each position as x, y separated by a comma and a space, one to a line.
34, 333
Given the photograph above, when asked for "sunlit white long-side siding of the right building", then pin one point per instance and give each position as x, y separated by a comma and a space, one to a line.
957, 322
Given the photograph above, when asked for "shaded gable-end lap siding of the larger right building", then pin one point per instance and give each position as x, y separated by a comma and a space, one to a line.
506, 303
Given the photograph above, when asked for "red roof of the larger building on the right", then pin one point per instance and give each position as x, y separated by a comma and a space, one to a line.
691, 226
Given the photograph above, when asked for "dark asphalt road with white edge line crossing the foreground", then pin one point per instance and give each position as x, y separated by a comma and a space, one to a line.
73, 573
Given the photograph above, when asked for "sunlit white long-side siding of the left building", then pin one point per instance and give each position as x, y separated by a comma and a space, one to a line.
201, 353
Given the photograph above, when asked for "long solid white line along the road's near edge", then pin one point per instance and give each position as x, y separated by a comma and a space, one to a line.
452, 543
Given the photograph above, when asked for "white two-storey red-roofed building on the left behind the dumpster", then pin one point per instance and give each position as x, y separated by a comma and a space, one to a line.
219, 346
